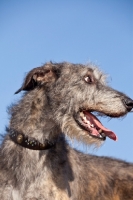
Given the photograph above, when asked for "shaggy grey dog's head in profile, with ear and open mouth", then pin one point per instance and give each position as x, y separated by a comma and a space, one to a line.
74, 93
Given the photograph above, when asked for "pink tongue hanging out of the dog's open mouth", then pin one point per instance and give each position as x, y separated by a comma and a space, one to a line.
97, 124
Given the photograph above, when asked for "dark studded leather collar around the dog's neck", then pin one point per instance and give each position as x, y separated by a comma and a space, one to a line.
29, 142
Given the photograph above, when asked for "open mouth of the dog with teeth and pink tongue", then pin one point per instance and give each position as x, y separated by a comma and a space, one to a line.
87, 121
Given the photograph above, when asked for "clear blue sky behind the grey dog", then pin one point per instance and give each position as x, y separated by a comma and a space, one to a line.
34, 32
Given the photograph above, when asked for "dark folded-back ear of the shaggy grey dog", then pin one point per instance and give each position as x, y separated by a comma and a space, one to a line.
37, 77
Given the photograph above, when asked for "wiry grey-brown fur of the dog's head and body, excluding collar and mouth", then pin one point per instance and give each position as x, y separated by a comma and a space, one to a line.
55, 93
